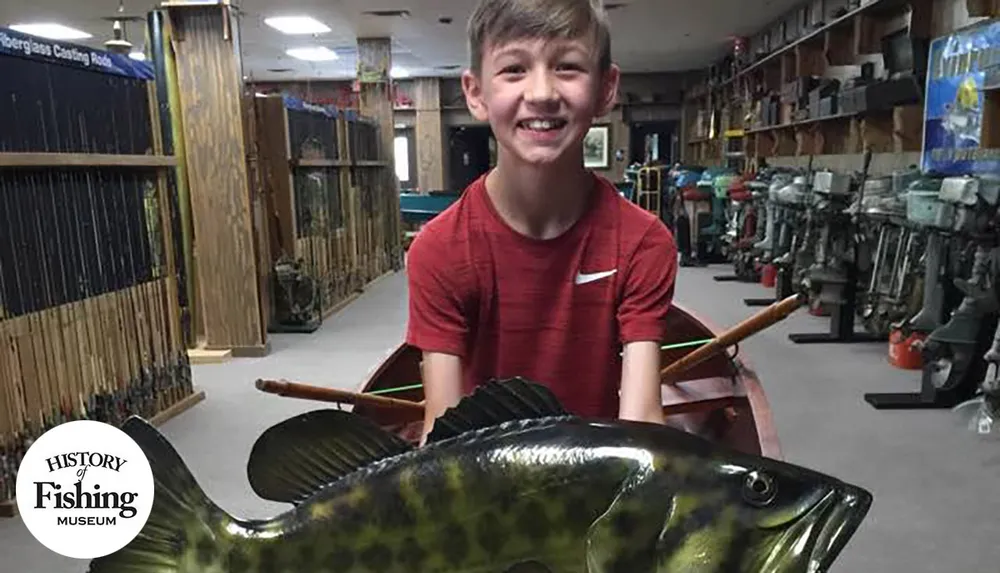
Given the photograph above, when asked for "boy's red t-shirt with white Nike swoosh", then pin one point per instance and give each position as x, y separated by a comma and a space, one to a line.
553, 311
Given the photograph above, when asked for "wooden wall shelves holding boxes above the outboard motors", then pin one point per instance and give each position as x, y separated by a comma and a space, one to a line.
764, 98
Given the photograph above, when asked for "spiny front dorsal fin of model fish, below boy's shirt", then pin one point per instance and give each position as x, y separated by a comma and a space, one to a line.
494, 403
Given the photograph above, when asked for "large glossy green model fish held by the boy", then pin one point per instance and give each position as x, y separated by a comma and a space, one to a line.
493, 492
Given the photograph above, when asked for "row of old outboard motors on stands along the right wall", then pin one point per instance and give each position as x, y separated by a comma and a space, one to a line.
909, 258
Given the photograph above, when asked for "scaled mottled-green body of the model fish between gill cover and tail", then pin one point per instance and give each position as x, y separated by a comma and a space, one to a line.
534, 496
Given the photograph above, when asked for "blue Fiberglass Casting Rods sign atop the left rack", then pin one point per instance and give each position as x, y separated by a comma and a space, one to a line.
14, 43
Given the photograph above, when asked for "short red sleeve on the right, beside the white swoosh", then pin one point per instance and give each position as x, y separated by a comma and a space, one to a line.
649, 287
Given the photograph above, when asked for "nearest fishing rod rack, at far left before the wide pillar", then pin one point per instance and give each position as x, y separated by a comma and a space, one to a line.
91, 295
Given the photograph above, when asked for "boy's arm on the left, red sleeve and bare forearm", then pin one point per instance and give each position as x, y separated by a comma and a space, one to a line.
437, 324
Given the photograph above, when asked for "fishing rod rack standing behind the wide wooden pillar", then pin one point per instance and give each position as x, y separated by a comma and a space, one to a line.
335, 226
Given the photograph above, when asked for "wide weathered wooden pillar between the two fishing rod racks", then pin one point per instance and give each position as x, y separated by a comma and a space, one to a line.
210, 88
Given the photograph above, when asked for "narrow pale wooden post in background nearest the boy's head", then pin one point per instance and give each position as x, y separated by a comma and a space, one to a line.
430, 167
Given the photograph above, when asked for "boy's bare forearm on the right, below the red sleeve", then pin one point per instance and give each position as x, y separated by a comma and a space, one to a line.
641, 394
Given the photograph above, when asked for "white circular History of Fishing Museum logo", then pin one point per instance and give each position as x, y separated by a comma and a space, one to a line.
84, 489
